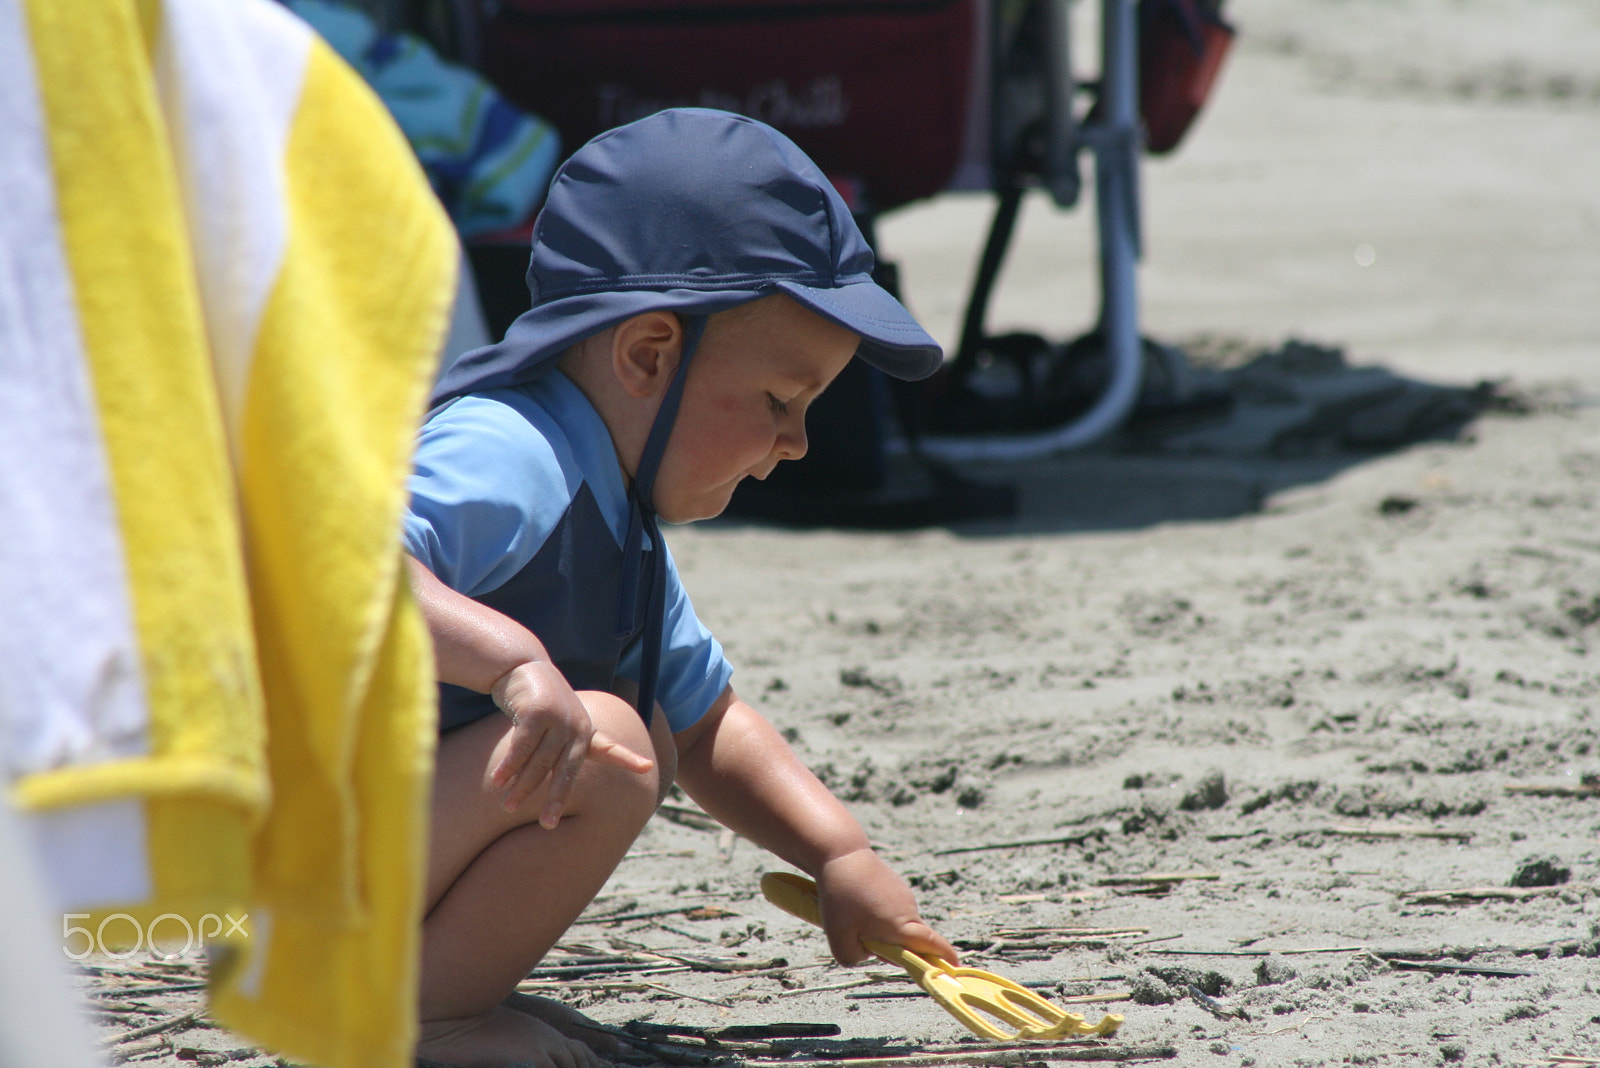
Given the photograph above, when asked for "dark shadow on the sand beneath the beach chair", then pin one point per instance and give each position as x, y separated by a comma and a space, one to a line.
1220, 434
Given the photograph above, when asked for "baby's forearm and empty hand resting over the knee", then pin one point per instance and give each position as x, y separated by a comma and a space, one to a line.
490, 653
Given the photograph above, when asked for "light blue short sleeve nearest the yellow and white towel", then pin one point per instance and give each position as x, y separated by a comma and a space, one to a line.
487, 488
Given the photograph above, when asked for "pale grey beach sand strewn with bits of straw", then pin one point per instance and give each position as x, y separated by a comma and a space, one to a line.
1308, 675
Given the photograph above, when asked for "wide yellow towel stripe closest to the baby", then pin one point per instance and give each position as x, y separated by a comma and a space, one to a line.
340, 375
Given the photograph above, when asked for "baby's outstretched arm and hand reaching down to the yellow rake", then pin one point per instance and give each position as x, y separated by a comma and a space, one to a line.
743, 773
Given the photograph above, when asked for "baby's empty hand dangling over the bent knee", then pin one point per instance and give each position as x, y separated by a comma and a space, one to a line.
550, 739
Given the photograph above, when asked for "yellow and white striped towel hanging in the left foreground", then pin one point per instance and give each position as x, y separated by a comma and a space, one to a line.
223, 287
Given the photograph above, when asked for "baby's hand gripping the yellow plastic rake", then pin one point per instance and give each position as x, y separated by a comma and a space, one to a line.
862, 898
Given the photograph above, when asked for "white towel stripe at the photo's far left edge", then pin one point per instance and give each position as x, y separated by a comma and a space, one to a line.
73, 690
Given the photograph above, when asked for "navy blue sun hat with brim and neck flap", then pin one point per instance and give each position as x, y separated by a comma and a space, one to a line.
695, 212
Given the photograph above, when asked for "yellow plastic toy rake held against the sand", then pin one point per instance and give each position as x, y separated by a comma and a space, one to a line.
974, 997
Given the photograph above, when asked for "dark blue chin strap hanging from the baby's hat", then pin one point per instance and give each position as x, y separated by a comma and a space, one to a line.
642, 522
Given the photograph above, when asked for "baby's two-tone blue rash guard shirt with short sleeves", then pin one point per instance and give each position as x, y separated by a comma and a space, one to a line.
519, 503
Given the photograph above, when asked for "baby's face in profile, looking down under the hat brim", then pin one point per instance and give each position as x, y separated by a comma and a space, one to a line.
745, 402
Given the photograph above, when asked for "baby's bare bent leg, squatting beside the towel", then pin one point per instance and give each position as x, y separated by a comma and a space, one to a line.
502, 890
